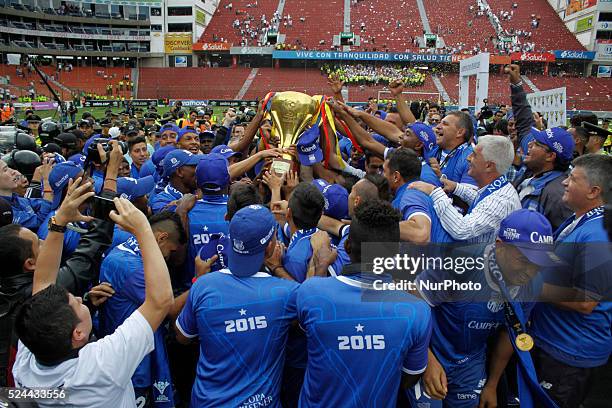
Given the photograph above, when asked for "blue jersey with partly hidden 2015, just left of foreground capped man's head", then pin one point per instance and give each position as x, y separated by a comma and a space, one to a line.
206, 219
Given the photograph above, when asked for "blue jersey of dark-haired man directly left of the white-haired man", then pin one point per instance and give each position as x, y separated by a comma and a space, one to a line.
413, 202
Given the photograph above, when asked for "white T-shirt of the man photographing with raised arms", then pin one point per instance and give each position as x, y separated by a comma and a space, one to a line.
100, 376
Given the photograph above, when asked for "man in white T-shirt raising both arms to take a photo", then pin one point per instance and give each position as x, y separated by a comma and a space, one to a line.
54, 327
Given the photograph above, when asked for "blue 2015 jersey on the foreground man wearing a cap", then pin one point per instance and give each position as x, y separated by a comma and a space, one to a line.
242, 324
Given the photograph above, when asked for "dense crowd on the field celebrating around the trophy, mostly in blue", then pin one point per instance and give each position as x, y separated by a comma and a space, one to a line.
188, 260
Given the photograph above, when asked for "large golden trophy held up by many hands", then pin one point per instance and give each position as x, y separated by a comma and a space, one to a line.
291, 113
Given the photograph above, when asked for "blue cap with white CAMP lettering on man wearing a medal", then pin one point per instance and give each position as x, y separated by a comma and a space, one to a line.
531, 233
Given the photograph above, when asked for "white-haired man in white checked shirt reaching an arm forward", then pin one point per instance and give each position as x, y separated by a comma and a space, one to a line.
491, 201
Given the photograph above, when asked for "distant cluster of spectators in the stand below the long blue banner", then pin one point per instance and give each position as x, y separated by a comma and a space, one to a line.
360, 74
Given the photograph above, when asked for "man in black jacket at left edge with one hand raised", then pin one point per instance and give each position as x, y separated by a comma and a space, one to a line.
19, 251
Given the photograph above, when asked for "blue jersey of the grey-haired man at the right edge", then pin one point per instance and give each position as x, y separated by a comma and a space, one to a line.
578, 339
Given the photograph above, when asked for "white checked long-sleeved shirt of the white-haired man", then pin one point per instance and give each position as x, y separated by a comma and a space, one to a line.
482, 224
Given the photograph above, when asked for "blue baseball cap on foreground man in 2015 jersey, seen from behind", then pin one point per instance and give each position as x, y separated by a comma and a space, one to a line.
251, 230
